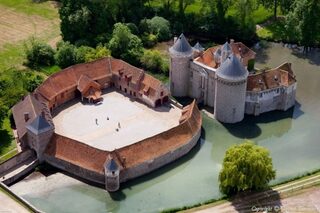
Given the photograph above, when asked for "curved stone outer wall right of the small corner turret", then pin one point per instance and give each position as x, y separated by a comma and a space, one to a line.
153, 164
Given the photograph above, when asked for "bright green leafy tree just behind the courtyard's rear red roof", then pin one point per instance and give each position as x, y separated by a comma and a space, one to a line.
125, 45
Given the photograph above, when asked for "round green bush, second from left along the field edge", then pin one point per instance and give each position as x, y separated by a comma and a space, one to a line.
66, 54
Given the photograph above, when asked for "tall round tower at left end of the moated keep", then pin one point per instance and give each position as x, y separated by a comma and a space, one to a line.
180, 55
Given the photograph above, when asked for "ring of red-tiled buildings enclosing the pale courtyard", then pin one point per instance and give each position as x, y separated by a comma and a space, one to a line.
36, 131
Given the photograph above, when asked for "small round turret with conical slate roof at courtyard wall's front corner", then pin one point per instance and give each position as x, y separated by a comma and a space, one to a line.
112, 172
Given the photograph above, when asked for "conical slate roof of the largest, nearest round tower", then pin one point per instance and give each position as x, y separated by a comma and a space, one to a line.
232, 69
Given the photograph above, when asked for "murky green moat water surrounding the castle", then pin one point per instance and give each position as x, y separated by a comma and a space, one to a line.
293, 138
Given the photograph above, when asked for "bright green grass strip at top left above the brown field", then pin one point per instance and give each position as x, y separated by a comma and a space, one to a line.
44, 9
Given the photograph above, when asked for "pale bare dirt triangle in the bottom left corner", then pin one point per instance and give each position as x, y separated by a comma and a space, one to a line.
9, 205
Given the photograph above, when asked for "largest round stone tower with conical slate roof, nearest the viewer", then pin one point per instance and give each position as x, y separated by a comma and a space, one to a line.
231, 85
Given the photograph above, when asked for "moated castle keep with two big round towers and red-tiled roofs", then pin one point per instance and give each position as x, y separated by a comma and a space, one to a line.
218, 77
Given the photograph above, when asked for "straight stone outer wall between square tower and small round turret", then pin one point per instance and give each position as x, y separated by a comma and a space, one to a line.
74, 169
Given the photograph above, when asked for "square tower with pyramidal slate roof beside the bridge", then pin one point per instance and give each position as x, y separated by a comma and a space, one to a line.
39, 135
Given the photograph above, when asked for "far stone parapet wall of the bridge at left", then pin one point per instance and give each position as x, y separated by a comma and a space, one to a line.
14, 161
